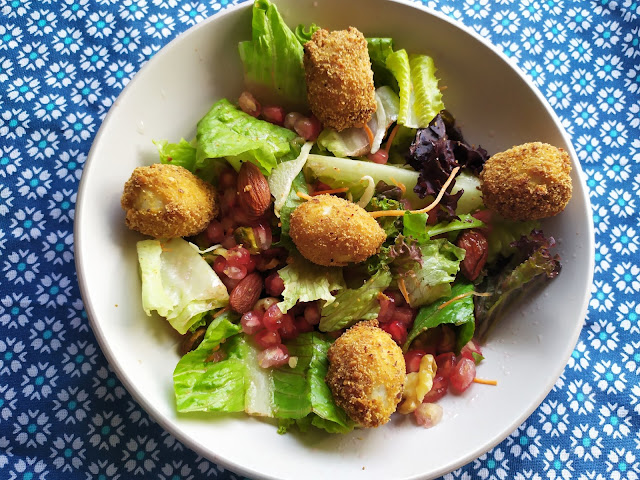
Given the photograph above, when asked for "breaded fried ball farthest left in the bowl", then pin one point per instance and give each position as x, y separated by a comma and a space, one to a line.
166, 201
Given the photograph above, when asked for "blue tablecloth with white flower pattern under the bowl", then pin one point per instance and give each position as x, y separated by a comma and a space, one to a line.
63, 412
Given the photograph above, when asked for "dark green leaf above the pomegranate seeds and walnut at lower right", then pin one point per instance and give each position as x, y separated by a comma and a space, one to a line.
458, 313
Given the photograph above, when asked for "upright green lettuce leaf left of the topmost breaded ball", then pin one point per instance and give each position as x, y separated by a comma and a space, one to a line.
272, 59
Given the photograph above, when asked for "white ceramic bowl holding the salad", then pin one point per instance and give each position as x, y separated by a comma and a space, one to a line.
497, 108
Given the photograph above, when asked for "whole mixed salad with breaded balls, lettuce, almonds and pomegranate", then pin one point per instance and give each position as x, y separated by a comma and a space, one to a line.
330, 247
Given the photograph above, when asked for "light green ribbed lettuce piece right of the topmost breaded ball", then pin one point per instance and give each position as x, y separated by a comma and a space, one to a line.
420, 97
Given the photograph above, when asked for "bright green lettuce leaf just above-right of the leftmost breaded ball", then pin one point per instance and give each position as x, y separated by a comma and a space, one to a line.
225, 131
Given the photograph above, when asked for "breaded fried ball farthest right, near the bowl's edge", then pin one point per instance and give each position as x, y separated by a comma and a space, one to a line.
527, 182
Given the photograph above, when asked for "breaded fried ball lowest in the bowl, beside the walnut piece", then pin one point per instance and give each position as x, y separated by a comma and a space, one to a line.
366, 374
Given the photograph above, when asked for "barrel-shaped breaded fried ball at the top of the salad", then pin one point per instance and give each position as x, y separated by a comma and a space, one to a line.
339, 78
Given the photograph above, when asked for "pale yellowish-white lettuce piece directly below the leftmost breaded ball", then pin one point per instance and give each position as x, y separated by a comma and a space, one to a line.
177, 282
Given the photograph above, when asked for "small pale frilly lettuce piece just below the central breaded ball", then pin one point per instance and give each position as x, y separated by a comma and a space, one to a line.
305, 282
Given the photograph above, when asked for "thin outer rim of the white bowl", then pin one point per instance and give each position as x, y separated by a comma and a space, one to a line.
166, 423
